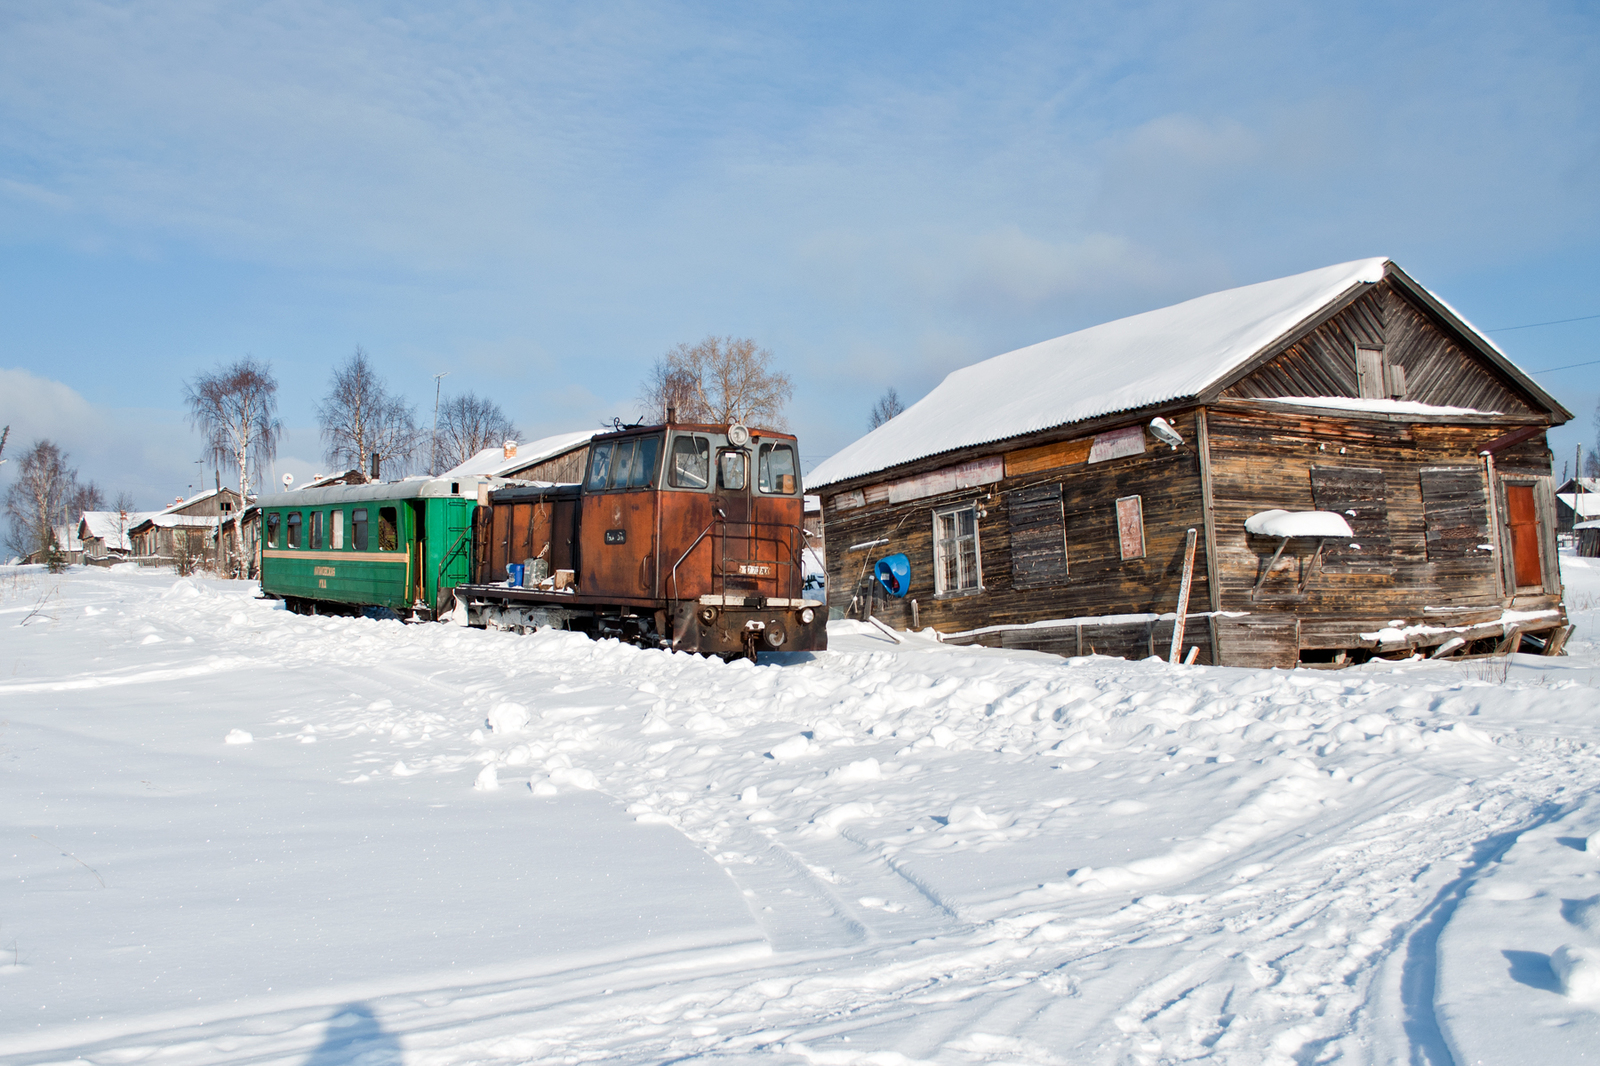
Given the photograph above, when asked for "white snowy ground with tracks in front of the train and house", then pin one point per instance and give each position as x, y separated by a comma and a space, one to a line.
233, 835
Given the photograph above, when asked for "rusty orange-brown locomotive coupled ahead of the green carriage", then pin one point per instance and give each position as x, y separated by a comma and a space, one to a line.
681, 537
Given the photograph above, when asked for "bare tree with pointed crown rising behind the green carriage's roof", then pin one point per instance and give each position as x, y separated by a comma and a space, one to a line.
359, 419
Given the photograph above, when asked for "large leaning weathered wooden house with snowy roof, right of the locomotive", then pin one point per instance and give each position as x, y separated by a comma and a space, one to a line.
1364, 475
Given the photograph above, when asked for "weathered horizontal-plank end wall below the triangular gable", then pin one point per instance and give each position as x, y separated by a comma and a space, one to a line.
1273, 457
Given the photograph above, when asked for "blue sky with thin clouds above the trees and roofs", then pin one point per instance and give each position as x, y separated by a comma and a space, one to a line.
543, 199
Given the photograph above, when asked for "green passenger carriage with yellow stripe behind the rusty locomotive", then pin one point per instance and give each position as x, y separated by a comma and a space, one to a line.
398, 545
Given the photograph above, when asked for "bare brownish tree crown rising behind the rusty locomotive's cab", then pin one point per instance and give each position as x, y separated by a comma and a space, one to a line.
721, 380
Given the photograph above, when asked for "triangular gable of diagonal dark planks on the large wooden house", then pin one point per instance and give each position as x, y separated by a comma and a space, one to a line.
1439, 364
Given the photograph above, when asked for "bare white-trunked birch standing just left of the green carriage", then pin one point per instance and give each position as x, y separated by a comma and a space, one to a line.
238, 412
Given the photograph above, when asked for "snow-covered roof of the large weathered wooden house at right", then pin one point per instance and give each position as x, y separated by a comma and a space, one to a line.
1159, 356
